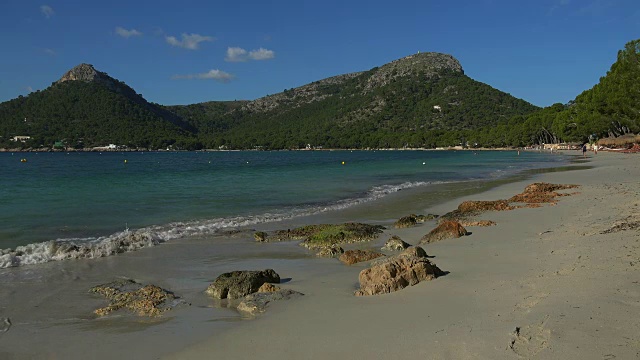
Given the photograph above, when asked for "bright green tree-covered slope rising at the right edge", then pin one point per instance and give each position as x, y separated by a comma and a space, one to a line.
610, 108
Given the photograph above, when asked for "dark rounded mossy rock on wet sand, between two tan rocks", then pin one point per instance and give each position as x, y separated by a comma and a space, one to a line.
236, 284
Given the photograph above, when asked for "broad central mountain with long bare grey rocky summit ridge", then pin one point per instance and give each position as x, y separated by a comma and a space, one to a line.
408, 102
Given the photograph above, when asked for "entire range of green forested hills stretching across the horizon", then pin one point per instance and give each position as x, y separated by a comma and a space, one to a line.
422, 100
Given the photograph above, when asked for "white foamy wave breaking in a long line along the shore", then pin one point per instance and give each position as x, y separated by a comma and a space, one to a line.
132, 240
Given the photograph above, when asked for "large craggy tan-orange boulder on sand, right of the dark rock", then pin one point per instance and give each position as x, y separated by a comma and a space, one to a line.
397, 272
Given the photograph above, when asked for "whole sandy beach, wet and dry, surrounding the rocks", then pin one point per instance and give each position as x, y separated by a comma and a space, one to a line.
556, 282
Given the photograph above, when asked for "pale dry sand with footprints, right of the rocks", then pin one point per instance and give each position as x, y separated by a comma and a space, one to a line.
546, 283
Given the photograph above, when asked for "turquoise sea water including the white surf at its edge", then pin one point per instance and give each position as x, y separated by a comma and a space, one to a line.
101, 198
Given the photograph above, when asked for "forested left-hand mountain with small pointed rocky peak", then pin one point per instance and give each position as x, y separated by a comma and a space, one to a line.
89, 108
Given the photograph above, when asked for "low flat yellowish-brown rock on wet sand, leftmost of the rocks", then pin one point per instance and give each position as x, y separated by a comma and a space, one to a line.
145, 300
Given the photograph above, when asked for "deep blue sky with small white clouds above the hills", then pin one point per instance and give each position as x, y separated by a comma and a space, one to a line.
543, 51
